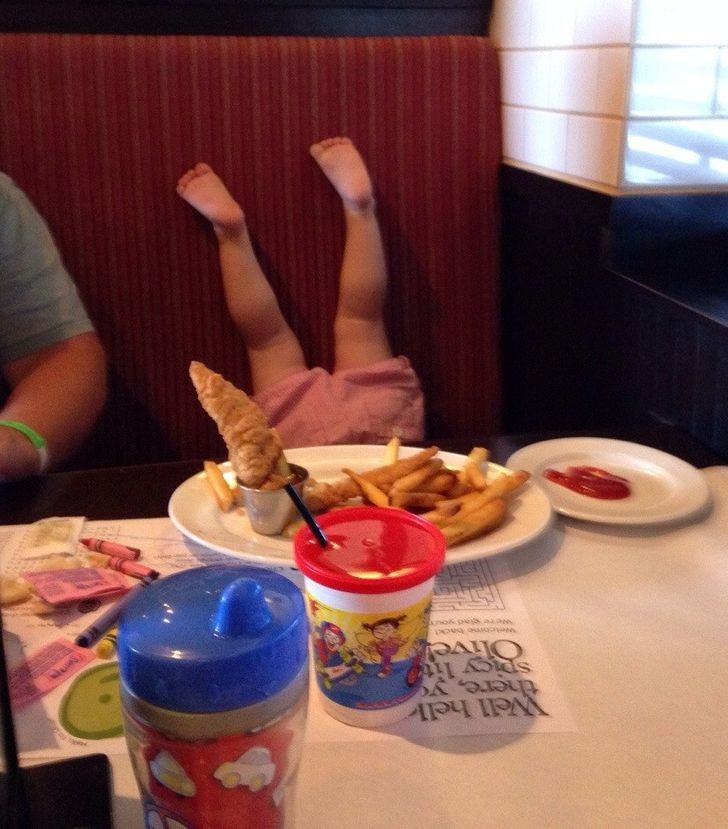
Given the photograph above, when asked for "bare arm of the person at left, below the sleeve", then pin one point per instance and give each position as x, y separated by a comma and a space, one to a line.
57, 391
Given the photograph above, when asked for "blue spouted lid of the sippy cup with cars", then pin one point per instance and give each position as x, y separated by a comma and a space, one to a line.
213, 638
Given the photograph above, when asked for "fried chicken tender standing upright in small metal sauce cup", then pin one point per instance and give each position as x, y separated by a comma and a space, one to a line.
254, 448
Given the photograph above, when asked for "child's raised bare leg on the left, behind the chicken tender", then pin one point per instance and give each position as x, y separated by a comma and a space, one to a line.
273, 349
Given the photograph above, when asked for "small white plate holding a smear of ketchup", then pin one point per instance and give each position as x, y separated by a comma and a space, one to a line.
664, 488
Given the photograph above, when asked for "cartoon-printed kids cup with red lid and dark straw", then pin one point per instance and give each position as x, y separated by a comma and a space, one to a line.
369, 593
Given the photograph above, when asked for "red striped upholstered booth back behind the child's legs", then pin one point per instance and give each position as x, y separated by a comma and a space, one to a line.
97, 129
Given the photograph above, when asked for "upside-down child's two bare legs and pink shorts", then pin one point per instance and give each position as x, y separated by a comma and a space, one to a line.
359, 332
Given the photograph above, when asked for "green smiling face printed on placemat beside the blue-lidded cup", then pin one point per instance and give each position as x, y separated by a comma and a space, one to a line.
91, 708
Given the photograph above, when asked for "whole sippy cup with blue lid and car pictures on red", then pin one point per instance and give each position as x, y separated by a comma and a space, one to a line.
214, 677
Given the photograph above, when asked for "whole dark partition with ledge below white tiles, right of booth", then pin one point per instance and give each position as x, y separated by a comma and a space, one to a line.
615, 310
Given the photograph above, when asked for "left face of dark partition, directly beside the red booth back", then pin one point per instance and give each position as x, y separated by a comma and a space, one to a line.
551, 244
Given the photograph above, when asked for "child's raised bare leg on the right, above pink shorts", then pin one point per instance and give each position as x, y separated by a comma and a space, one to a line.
359, 332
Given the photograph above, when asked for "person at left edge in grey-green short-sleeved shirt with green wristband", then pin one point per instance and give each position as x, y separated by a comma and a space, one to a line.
52, 362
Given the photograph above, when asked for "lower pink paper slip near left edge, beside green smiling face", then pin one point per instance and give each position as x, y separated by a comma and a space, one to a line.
52, 665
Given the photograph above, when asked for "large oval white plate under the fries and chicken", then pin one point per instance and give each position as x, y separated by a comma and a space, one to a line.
194, 511
